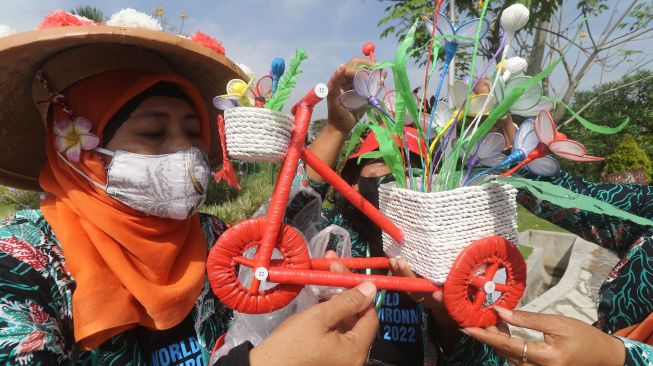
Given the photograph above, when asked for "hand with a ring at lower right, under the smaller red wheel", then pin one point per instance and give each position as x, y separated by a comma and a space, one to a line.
567, 341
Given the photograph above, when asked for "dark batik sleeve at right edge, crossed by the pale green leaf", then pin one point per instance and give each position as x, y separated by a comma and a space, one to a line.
626, 296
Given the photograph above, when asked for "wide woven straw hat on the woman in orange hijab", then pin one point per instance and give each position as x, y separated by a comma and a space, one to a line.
22, 130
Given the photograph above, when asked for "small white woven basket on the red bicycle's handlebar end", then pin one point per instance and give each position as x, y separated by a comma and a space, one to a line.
257, 134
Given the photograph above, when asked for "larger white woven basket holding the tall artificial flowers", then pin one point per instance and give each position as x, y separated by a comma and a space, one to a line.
438, 225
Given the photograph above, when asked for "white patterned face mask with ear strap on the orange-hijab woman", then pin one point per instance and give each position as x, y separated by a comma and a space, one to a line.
170, 185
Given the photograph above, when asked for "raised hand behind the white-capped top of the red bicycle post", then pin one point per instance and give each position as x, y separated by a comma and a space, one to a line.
341, 81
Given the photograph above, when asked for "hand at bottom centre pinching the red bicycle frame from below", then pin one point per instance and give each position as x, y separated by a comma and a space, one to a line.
323, 334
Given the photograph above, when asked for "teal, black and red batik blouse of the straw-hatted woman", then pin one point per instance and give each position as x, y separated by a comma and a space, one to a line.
36, 289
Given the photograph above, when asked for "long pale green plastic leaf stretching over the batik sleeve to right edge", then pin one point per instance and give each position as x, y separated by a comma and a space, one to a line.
568, 199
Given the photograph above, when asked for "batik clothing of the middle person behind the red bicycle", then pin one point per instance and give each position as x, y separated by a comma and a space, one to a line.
467, 352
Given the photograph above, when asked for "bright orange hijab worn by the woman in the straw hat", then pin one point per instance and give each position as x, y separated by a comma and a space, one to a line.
130, 269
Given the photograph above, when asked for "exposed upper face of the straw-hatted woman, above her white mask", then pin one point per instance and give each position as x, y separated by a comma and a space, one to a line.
160, 125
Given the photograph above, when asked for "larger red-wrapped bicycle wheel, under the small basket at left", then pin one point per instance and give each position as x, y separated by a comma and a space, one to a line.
223, 270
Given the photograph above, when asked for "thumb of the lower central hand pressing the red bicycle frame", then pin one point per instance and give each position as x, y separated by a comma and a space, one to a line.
347, 304
